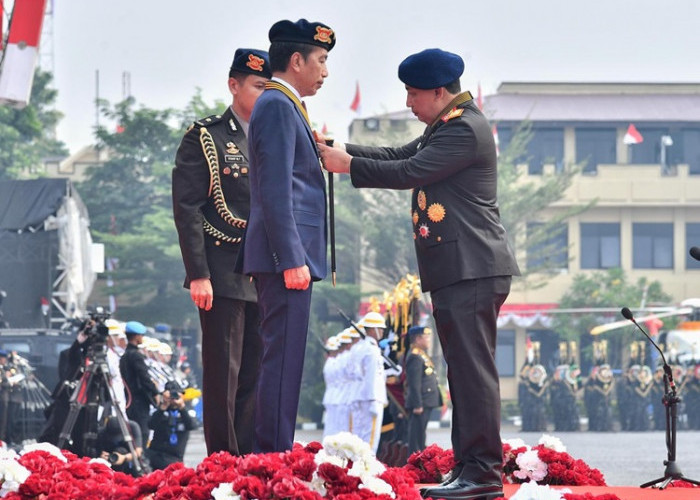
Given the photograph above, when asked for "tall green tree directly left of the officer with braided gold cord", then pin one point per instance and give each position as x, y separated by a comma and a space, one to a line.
129, 203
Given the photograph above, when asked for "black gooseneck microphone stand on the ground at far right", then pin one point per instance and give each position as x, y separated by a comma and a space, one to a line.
670, 400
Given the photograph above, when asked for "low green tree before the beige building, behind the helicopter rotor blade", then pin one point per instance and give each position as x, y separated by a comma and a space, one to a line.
600, 296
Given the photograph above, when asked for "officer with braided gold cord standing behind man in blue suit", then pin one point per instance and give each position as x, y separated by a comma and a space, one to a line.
211, 200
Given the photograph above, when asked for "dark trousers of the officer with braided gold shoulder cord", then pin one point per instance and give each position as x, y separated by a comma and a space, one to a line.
231, 350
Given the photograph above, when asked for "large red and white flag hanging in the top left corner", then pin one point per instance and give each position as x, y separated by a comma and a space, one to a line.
22, 52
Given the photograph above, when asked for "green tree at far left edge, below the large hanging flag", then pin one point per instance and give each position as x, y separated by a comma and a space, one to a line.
27, 134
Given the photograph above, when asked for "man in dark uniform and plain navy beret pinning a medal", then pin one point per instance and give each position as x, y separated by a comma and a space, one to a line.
464, 258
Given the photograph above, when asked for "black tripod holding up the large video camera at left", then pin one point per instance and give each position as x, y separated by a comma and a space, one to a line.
89, 394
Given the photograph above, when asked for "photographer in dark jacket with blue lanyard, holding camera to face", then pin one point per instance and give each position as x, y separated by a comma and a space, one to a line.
171, 424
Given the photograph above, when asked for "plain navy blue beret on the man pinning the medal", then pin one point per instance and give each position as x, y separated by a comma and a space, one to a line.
431, 69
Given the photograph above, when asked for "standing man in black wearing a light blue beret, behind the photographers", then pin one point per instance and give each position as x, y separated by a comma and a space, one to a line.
137, 381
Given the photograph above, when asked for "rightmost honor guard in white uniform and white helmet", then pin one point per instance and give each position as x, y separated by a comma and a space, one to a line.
368, 409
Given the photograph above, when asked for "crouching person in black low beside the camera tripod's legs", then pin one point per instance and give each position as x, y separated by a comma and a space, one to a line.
112, 446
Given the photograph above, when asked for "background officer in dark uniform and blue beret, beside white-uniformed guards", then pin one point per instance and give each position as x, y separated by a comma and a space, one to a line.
421, 387
